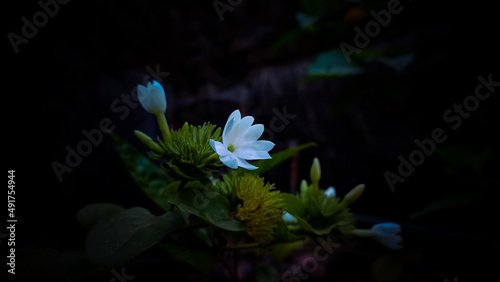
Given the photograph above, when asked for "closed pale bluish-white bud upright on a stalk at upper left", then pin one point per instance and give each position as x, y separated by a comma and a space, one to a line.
152, 97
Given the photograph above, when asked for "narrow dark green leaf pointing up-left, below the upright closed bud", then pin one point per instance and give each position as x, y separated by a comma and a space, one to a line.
150, 178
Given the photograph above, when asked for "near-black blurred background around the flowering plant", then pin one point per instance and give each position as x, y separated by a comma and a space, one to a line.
66, 77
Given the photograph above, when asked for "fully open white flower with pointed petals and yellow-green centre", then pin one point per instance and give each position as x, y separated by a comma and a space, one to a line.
239, 142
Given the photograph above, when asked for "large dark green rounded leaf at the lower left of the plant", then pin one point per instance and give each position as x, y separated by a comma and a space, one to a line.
119, 238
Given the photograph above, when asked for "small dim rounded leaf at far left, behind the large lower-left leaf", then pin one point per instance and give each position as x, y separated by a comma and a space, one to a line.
89, 215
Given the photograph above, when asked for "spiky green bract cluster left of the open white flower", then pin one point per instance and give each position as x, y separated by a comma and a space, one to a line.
188, 153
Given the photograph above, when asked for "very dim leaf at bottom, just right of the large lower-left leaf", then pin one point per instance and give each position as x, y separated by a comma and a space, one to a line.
201, 260
